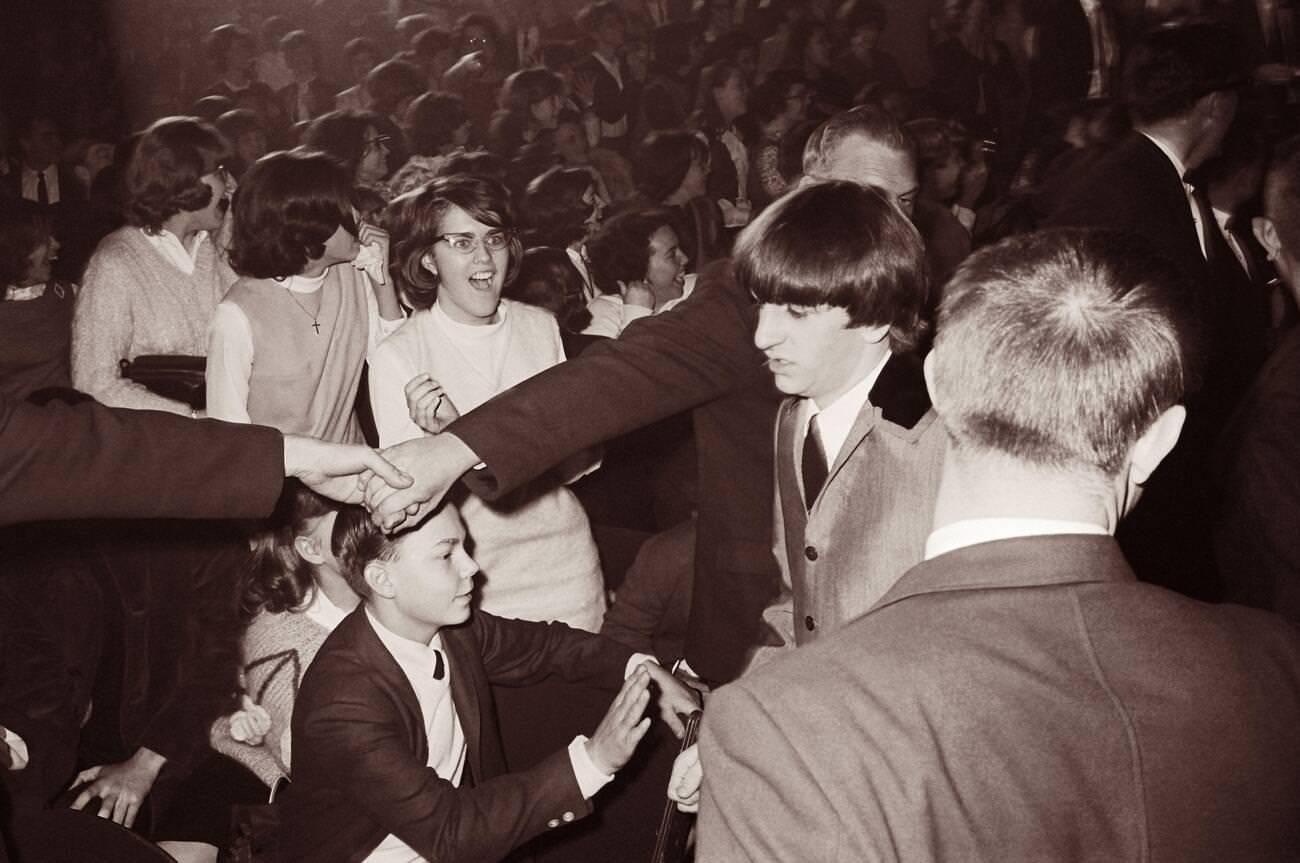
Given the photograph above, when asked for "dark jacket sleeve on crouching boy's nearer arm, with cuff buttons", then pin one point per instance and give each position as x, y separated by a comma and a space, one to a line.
349, 730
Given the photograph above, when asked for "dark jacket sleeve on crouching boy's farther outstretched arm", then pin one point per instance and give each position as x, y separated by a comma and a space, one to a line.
518, 653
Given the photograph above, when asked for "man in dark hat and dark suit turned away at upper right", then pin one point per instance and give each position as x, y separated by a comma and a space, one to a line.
1180, 86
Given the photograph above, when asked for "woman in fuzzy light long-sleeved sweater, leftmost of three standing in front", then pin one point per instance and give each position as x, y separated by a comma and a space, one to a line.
153, 287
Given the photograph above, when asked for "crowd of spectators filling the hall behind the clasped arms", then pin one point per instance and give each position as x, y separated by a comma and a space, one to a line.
484, 194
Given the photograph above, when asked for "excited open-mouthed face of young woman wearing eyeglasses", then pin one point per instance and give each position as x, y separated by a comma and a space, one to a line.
471, 274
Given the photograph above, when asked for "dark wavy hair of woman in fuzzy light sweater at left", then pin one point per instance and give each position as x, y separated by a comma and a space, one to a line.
167, 170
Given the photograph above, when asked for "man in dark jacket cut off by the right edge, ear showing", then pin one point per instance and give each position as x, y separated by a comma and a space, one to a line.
1256, 537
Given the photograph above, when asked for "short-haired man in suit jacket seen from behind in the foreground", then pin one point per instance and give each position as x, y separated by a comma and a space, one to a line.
1020, 696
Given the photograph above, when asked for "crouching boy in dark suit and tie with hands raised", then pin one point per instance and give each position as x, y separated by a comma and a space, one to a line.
396, 747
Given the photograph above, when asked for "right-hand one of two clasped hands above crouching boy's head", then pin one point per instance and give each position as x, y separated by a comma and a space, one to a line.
434, 463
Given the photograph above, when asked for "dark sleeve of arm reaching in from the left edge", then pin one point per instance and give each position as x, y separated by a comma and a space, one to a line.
86, 461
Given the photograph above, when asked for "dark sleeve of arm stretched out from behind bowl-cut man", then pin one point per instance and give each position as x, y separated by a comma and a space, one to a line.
660, 367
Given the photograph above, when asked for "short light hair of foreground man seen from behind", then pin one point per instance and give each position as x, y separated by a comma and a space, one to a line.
1060, 349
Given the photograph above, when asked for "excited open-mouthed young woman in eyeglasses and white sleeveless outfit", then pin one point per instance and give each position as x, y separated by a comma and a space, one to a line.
454, 250
